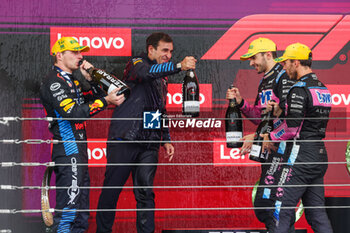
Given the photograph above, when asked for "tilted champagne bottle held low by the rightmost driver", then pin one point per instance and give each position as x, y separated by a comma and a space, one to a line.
265, 126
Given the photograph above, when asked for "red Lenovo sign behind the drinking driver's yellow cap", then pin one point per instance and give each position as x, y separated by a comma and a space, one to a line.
102, 41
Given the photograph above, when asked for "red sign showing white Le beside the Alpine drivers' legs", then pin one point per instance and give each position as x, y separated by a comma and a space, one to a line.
229, 156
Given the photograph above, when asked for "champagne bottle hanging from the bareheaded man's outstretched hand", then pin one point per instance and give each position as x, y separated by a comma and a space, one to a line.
190, 94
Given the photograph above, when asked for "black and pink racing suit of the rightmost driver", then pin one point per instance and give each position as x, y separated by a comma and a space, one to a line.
307, 99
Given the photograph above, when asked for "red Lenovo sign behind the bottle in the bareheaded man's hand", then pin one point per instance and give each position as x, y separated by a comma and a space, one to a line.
174, 97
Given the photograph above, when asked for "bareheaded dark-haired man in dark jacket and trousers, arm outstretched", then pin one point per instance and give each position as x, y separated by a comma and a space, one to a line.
146, 75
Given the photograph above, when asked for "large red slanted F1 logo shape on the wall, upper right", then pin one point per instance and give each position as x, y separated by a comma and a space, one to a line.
326, 35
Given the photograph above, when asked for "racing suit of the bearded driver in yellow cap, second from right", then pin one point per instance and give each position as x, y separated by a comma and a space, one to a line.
274, 86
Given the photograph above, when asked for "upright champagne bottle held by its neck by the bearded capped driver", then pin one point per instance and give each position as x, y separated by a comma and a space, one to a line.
233, 125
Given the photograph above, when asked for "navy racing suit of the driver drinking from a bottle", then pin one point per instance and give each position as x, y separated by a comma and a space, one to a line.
62, 97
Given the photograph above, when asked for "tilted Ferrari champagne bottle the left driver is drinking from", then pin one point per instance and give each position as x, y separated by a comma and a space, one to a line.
108, 81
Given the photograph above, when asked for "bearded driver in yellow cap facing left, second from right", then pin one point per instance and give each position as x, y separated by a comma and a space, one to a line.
274, 85
